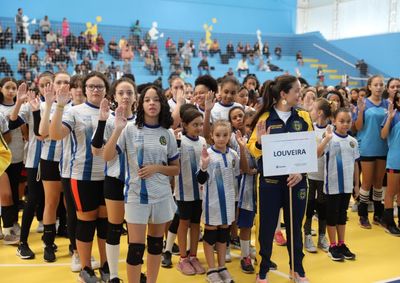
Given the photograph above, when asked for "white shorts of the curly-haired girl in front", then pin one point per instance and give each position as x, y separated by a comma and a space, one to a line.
155, 213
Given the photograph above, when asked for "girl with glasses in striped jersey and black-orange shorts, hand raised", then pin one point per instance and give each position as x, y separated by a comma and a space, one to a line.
86, 171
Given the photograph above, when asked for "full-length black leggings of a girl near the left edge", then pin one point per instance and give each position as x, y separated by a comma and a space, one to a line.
35, 202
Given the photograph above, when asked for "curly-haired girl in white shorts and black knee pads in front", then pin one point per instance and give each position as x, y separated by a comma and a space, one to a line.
151, 157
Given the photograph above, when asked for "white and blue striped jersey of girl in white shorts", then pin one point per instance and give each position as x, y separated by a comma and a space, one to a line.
146, 146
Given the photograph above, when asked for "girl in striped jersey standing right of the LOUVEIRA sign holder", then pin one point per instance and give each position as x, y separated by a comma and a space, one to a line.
340, 151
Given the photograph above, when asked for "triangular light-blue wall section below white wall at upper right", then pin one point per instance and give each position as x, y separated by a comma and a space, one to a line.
381, 51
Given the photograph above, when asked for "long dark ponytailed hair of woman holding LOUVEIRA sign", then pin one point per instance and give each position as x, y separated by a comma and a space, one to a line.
271, 94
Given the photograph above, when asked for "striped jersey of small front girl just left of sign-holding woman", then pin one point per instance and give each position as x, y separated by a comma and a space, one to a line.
219, 192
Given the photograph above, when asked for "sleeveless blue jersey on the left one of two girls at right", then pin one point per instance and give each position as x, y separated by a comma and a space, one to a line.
369, 137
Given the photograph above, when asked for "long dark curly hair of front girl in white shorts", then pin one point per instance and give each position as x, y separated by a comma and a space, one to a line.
164, 118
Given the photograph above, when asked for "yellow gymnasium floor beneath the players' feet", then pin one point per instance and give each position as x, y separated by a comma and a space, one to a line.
377, 260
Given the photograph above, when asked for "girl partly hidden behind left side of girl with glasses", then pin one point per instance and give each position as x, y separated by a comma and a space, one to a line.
49, 162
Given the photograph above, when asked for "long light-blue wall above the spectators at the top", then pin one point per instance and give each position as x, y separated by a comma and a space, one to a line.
233, 16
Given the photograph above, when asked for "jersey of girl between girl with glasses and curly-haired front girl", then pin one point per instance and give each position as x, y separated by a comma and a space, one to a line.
116, 167
